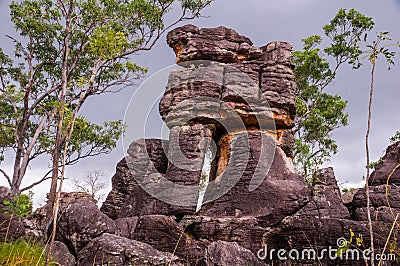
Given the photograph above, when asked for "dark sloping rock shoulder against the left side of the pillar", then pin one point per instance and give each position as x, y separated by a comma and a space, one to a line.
127, 198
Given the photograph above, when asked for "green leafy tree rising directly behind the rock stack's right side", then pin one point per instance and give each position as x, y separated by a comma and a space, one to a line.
319, 112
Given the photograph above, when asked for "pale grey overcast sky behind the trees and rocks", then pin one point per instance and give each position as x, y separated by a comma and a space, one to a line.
265, 21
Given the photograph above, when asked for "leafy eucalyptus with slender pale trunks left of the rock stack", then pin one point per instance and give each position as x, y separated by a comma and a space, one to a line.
66, 51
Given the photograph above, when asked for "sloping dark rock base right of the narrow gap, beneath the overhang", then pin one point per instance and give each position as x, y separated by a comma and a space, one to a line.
281, 193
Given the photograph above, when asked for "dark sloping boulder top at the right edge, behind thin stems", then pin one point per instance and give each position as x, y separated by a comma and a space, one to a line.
389, 163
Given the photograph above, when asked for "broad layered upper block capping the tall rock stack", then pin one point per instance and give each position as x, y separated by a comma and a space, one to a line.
268, 71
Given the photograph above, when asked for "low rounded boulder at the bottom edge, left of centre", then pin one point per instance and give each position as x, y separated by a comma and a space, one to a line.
109, 249
